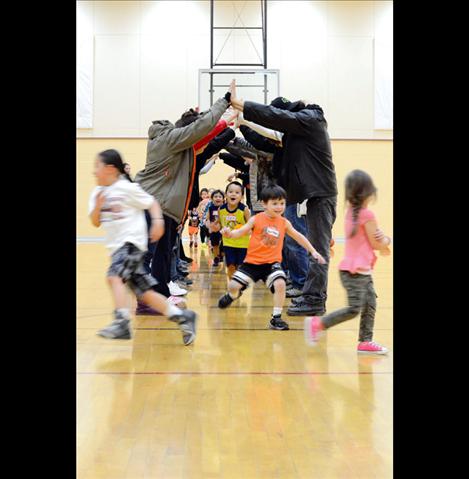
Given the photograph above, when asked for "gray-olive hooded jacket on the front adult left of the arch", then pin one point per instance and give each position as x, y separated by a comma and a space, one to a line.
170, 167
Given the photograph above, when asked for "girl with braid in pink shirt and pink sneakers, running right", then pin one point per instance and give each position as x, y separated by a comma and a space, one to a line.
362, 237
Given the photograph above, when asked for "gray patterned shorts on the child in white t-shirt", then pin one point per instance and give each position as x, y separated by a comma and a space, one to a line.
127, 263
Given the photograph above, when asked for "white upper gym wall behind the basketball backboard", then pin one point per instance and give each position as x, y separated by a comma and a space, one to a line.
147, 55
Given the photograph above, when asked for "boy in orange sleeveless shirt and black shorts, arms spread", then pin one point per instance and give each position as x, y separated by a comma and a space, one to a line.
264, 253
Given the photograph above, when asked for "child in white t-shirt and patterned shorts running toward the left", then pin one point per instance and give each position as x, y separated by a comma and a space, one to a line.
119, 206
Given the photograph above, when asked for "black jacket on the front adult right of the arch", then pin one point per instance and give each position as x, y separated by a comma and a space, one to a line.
307, 167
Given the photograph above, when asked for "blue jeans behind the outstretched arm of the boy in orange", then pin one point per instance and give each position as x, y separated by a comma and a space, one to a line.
296, 257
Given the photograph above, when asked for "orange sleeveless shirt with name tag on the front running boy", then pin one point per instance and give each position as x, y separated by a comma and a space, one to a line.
265, 245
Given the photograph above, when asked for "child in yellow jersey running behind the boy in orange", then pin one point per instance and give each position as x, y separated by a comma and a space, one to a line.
234, 214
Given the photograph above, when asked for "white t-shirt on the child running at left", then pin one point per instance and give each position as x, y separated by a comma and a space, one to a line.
122, 214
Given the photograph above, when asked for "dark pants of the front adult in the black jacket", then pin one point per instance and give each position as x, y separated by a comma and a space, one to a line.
320, 216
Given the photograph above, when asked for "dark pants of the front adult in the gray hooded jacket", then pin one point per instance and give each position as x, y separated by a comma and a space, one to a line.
158, 258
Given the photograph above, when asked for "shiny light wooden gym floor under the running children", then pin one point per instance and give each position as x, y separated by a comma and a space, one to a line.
242, 402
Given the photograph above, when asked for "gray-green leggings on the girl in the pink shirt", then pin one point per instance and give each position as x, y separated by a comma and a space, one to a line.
361, 299
